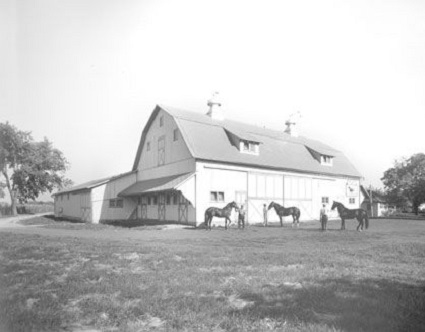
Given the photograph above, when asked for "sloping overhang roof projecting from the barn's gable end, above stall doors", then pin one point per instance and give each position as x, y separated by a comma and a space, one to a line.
168, 183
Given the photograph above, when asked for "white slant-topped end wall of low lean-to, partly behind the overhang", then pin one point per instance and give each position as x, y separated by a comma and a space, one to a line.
102, 195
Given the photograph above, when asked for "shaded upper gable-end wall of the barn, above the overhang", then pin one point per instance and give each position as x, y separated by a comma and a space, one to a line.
166, 156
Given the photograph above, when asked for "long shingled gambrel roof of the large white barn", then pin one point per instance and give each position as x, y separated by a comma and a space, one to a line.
207, 140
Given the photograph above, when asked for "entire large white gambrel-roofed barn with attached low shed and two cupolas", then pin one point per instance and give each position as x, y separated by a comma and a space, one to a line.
188, 161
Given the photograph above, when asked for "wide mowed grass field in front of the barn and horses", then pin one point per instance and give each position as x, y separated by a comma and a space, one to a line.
112, 279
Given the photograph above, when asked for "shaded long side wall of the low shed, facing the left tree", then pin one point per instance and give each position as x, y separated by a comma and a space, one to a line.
75, 206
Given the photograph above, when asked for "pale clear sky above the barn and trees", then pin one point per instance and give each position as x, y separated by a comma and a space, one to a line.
87, 74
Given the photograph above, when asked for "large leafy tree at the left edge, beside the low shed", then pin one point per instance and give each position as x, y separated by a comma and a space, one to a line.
29, 168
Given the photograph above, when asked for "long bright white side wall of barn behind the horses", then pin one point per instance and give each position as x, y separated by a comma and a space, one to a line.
304, 191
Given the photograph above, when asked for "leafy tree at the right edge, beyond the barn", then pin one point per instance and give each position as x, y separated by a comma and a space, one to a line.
405, 182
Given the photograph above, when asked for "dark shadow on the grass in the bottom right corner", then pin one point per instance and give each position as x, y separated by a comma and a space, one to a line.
364, 305
